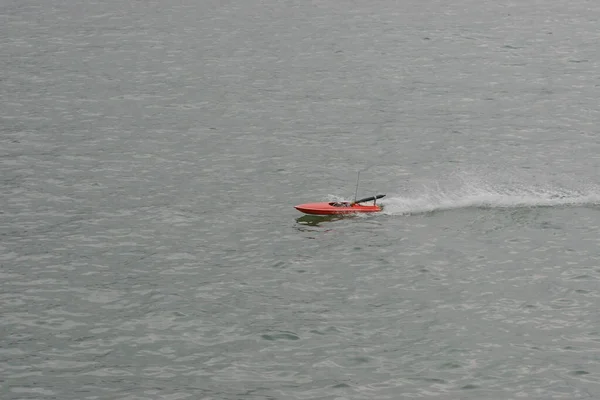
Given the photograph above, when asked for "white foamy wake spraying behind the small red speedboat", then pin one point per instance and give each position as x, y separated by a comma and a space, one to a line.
488, 196
